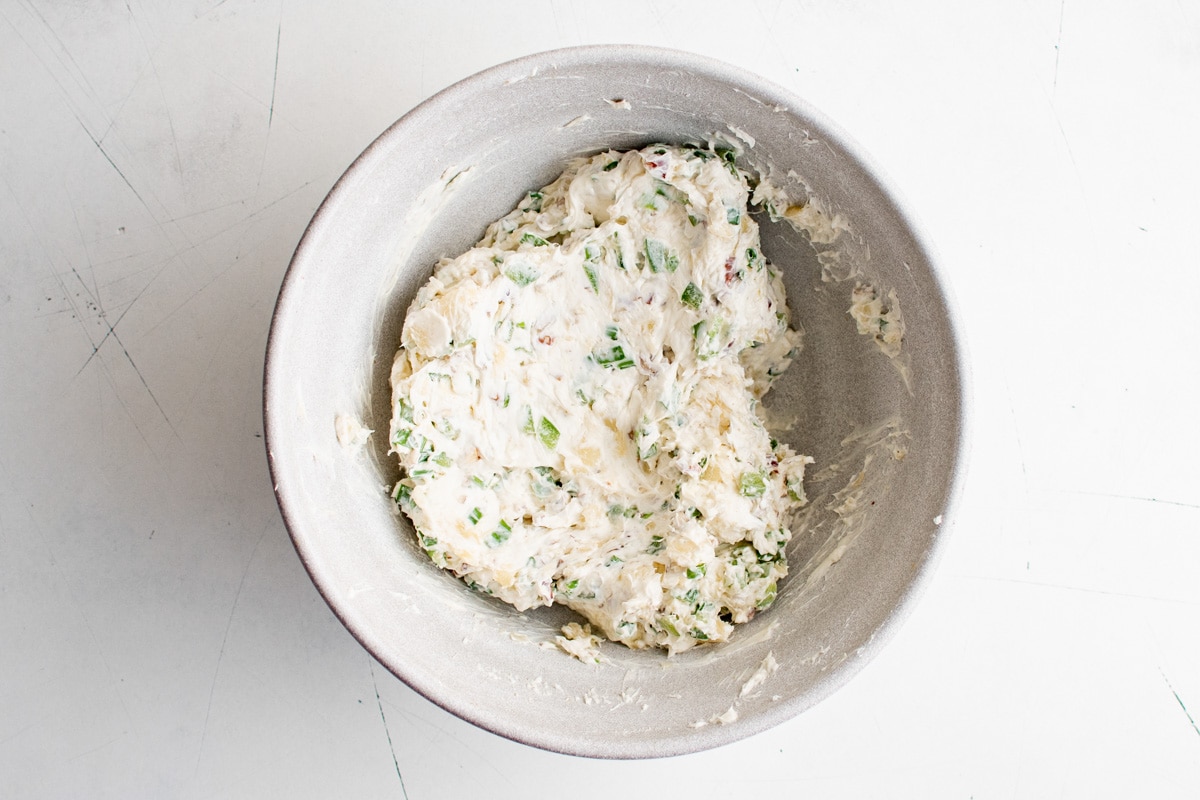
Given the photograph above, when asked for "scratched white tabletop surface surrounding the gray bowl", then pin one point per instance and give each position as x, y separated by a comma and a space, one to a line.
159, 163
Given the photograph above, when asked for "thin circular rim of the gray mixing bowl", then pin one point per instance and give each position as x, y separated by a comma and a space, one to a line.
764, 89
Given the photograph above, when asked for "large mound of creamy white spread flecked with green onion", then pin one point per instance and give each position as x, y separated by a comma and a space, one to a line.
577, 402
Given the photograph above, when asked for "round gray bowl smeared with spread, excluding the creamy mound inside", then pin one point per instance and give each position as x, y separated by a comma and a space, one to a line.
887, 432
